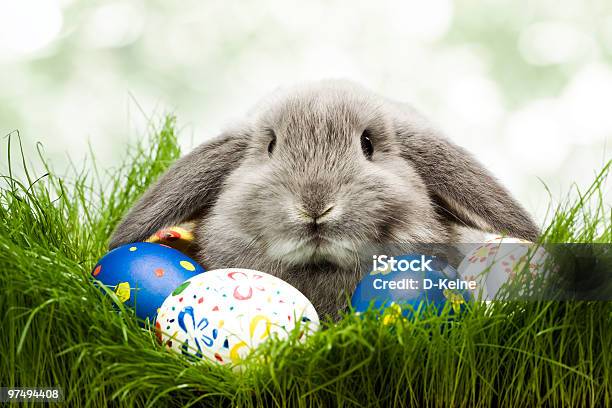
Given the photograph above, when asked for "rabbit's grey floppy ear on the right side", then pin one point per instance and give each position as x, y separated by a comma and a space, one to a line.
465, 191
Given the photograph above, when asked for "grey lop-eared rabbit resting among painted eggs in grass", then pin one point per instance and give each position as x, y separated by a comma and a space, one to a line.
314, 176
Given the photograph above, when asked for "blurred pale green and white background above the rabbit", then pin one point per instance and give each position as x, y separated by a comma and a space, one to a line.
525, 85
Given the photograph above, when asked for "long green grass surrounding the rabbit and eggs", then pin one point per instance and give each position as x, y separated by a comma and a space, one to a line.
57, 329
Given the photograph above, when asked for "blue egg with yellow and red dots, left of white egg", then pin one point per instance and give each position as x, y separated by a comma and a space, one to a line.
142, 274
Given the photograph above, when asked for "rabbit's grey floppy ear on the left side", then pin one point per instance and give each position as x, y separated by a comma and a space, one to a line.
188, 188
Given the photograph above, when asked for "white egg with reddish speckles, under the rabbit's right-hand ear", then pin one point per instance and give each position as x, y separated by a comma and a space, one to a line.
499, 260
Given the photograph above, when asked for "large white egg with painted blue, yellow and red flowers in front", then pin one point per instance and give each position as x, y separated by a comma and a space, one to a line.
223, 314
